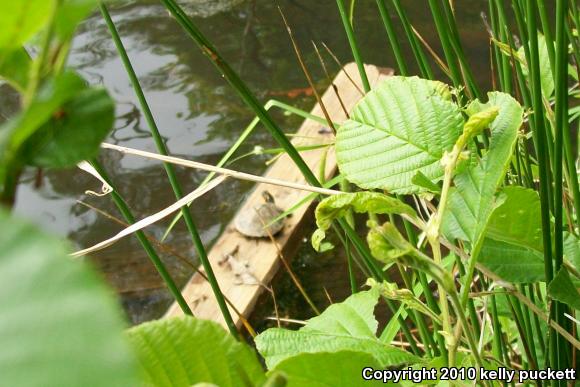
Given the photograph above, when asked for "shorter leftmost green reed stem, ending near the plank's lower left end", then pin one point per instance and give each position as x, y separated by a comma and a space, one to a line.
161, 269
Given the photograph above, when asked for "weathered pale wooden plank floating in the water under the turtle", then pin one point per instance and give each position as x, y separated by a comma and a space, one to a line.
260, 256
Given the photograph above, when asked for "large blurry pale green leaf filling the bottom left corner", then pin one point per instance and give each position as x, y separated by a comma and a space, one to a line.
59, 325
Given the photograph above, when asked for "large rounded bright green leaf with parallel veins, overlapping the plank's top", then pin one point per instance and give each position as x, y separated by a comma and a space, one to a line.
402, 126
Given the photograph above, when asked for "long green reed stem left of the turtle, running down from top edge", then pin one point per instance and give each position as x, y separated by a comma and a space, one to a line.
162, 149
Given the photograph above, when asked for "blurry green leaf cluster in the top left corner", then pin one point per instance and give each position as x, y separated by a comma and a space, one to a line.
62, 120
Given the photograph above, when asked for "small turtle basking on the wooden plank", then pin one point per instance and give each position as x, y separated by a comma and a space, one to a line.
250, 222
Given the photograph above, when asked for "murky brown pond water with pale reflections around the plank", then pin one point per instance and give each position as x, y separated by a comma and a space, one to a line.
200, 118
